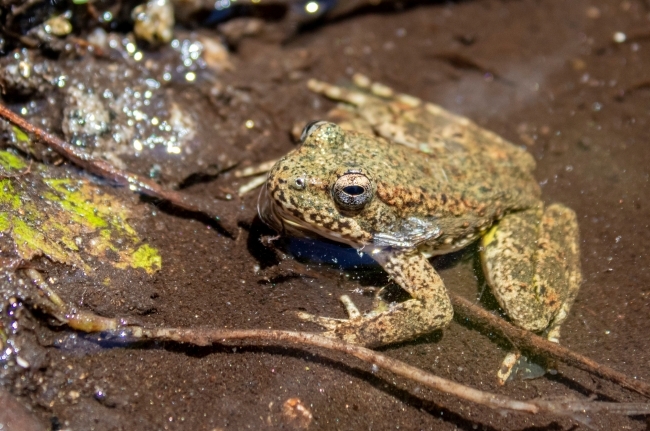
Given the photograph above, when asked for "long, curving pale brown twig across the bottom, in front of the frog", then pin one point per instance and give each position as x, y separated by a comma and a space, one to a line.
119, 328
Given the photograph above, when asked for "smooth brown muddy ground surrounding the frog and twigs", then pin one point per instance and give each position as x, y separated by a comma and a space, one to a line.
546, 74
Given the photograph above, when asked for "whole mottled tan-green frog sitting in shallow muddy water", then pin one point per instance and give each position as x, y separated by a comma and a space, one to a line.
404, 180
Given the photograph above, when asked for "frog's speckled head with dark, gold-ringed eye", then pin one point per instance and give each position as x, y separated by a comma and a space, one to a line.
319, 188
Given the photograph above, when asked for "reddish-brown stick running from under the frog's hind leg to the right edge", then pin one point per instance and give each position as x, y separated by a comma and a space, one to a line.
527, 340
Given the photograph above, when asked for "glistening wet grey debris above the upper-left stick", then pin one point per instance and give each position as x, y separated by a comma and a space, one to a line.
118, 111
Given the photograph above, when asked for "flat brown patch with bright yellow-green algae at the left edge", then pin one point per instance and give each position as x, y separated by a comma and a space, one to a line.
46, 211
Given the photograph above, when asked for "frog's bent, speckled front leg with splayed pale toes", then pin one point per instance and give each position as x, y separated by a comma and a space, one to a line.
427, 310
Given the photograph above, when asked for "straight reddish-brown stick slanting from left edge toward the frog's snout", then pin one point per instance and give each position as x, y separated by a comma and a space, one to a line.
104, 169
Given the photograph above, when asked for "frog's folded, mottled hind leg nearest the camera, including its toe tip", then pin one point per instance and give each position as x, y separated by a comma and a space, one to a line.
531, 261
